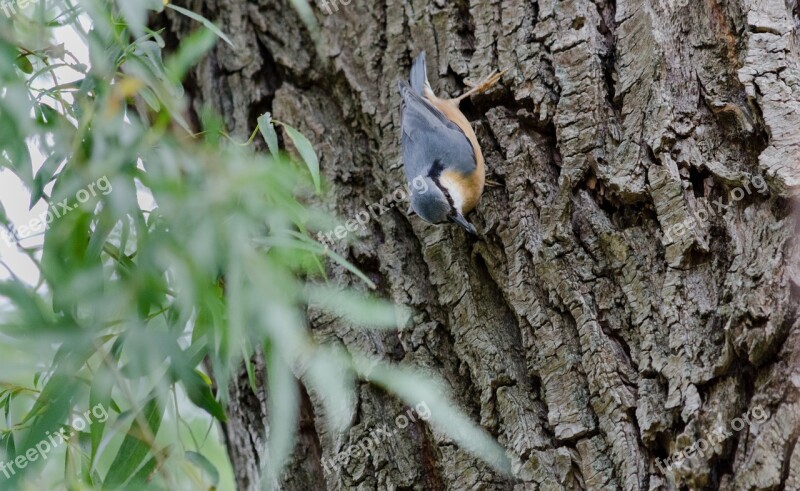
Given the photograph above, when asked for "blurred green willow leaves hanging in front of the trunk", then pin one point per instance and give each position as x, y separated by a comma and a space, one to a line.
147, 312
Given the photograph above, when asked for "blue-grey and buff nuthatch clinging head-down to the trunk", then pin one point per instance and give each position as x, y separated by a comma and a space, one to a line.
440, 147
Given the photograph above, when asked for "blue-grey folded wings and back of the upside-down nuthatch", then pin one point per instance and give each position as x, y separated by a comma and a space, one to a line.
429, 136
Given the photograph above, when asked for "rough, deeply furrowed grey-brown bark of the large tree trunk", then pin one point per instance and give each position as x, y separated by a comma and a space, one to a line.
624, 300
